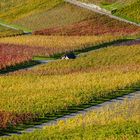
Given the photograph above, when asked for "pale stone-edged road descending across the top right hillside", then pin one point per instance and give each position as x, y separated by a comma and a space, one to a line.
99, 10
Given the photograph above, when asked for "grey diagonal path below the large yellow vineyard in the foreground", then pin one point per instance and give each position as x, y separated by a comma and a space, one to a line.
81, 112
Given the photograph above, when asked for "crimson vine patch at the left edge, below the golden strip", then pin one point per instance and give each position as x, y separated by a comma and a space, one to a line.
11, 54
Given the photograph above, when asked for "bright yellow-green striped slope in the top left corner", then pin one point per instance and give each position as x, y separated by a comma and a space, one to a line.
11, 10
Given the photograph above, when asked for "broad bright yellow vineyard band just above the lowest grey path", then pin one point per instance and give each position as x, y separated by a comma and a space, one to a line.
36, 96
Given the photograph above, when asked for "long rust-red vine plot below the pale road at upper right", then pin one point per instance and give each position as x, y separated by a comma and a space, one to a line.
99, 25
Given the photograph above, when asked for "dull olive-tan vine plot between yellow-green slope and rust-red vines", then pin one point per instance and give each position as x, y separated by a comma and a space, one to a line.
61, 15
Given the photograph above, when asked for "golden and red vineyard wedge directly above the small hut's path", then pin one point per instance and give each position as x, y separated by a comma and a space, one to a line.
16, 50
